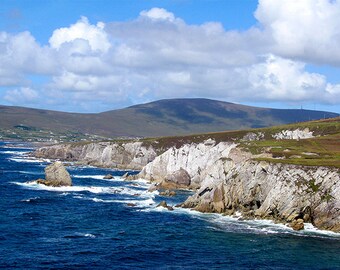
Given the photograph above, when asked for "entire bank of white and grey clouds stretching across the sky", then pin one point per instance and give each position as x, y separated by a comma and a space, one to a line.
159, 55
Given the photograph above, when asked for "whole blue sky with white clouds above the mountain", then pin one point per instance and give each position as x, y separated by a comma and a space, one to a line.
99, 55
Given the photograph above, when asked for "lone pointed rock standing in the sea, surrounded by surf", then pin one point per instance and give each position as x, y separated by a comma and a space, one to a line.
56, 176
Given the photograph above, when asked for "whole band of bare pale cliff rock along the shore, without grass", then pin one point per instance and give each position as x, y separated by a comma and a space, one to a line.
227, 179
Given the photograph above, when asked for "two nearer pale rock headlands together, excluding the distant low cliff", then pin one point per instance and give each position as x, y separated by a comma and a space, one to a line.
230, 181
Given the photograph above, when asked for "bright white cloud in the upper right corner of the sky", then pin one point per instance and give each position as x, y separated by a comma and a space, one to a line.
305, 29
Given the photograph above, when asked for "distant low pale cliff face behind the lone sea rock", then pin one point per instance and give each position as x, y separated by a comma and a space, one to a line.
132, 155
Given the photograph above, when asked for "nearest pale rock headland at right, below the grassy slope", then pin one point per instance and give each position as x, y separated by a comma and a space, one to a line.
276, 191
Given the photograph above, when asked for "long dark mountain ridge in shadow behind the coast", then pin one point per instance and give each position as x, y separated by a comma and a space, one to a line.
159, 118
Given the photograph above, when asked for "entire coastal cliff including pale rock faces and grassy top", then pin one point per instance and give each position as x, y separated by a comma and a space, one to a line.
289, 174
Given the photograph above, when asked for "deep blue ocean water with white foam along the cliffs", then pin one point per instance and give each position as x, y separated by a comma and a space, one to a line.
115, 224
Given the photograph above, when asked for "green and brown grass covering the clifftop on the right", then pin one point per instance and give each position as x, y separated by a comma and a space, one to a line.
322, 150
